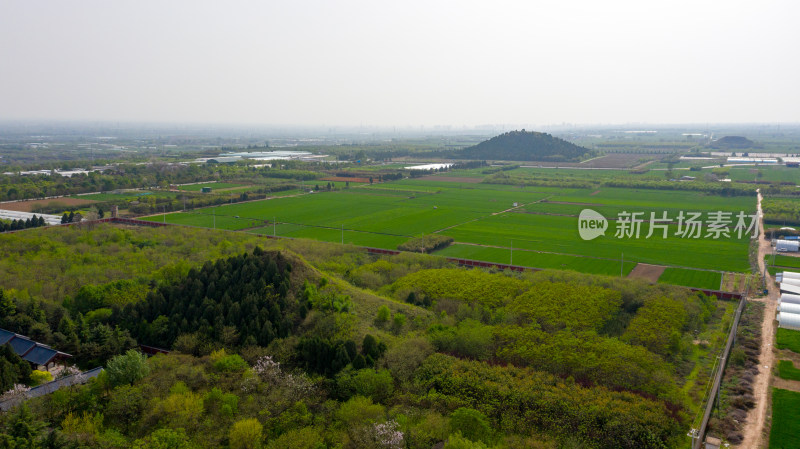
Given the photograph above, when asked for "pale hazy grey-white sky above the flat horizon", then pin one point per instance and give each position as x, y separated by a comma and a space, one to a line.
401, 62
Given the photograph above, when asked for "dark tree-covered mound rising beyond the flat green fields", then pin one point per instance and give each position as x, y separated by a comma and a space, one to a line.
527, 146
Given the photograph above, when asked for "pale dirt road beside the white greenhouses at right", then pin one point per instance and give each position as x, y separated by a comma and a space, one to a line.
754, 429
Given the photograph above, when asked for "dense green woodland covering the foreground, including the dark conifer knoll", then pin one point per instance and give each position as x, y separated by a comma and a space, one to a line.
287, 344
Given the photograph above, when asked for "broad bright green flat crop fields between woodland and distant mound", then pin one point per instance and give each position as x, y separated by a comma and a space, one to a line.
485, 224
